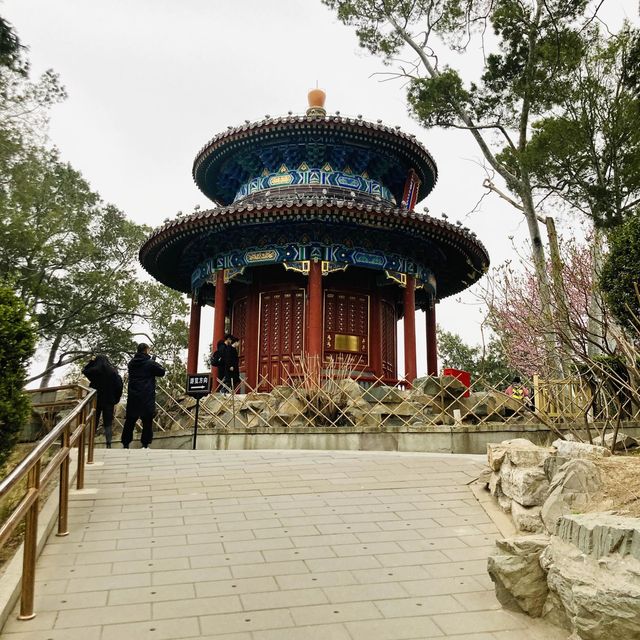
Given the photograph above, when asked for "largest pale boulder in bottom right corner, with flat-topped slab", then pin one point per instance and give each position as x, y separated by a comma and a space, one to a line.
598, 596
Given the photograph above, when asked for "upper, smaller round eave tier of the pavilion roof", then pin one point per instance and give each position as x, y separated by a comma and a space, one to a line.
235, 156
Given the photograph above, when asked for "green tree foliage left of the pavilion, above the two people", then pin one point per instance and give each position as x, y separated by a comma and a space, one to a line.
71, 257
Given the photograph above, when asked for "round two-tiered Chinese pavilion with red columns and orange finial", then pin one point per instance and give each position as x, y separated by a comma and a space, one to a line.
314, 247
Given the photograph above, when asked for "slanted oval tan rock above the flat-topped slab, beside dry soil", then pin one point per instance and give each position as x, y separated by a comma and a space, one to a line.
571, 488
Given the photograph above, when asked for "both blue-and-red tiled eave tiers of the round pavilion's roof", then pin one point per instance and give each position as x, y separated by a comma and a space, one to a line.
313, 181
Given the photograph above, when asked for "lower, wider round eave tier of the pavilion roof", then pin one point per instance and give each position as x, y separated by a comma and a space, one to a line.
455, 255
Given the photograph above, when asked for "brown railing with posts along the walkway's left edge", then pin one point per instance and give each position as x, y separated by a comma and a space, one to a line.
69, 432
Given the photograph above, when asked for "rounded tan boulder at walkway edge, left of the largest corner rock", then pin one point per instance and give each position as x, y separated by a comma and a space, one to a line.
515, 569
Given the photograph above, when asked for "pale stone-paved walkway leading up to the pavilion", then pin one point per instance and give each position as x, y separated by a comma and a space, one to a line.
273, 545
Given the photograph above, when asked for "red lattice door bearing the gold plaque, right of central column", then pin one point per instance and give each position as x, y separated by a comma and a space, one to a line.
346, 326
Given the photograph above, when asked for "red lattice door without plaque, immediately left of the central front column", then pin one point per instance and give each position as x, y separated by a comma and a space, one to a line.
281, 341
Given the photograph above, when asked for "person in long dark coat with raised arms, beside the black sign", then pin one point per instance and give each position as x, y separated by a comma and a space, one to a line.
141, 395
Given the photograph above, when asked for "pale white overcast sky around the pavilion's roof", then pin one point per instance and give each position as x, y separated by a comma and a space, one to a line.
151, 81
